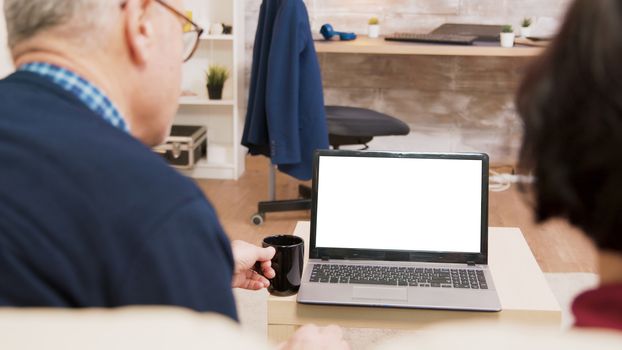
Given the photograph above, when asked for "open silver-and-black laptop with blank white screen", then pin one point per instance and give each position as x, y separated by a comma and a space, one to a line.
399, 230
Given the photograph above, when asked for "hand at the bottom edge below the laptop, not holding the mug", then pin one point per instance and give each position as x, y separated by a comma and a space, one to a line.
312, 337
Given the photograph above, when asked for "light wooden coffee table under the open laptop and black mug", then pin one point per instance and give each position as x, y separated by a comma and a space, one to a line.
524, 294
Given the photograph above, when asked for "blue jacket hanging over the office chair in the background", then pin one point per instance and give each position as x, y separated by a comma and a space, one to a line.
286, 120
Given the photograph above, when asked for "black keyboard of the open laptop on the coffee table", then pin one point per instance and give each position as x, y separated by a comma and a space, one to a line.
399, 276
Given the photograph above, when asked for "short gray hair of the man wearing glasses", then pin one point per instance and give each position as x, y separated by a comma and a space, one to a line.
27, 18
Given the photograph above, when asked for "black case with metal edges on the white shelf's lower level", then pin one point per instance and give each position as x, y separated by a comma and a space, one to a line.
186, 145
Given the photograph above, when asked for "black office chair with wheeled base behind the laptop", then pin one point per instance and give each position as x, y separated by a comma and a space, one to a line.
346, 126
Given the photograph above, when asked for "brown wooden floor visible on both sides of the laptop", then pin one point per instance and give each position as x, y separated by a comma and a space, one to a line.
556, 246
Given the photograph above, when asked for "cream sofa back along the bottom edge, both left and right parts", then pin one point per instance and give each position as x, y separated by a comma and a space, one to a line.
154, 328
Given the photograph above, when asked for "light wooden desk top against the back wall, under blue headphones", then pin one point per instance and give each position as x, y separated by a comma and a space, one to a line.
365, 45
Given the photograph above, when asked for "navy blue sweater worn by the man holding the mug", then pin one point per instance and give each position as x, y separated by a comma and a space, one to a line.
90, 217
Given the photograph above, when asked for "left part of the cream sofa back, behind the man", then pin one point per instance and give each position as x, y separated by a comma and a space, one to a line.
134, 328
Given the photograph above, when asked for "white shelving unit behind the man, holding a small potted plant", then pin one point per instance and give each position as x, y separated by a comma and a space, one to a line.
222, 118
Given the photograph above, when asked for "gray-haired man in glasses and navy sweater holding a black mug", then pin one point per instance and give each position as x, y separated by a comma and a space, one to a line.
90, 216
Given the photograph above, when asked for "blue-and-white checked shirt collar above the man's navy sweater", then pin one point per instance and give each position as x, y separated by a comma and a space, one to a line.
91, 96
